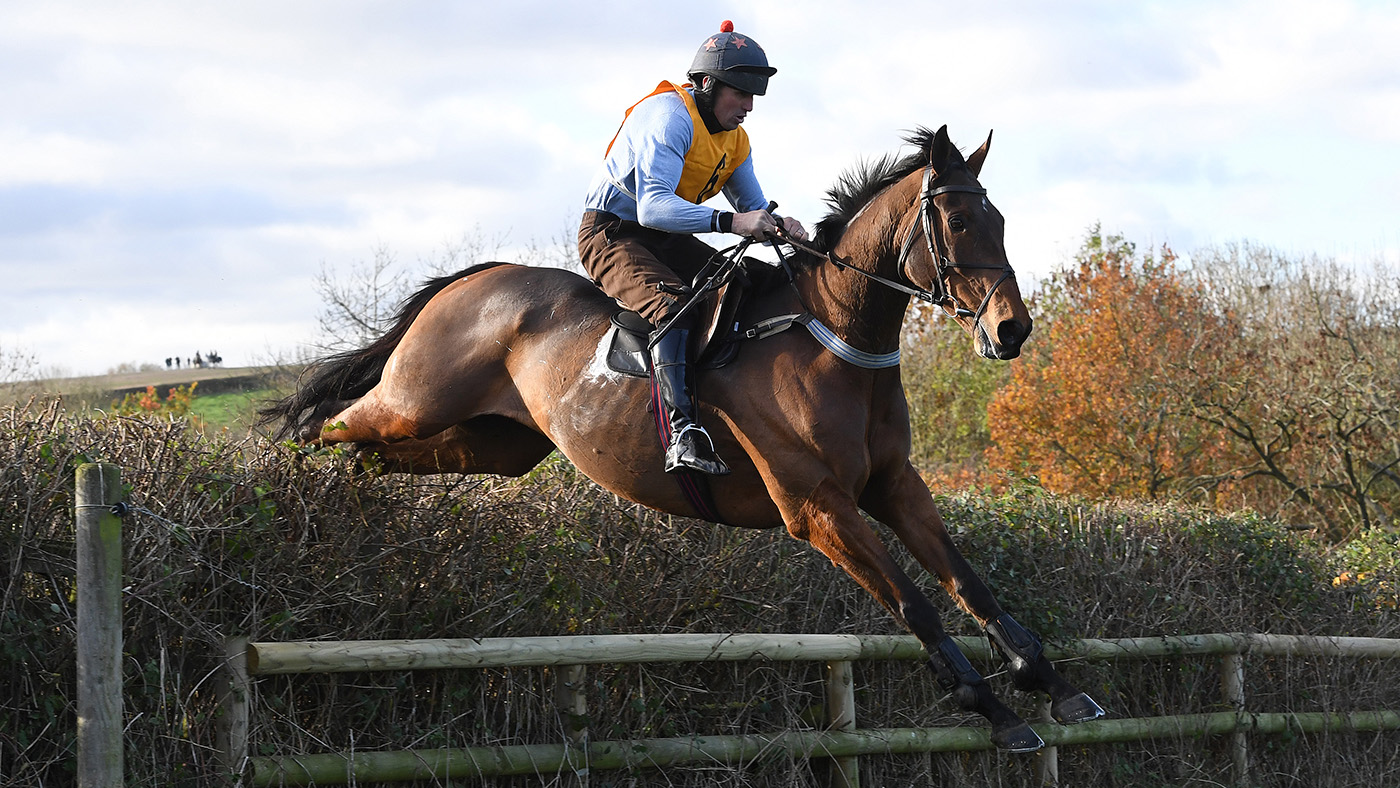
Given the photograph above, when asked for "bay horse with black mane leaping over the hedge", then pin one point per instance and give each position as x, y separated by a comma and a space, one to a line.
495, 367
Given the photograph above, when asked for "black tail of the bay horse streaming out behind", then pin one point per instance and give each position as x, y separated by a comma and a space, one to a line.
335, 380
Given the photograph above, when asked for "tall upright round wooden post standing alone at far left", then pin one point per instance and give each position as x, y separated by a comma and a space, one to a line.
99, 488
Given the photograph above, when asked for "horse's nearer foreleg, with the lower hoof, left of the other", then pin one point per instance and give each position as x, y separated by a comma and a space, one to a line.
831, 523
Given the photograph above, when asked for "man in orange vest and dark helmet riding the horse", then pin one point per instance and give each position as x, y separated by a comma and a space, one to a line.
678, 148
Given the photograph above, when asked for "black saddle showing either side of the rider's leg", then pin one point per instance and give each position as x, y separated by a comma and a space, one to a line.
719, 309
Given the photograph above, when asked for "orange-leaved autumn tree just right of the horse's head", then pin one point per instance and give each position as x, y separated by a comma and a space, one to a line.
1094, 408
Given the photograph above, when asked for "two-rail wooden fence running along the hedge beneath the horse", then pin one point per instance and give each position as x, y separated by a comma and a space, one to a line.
842, 741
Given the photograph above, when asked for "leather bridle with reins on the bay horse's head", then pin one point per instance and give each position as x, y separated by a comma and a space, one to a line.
939, 296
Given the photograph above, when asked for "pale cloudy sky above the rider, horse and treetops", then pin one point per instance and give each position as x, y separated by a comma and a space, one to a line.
174, 177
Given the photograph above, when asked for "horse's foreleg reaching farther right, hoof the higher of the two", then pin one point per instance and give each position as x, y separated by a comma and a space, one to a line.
909, 510
